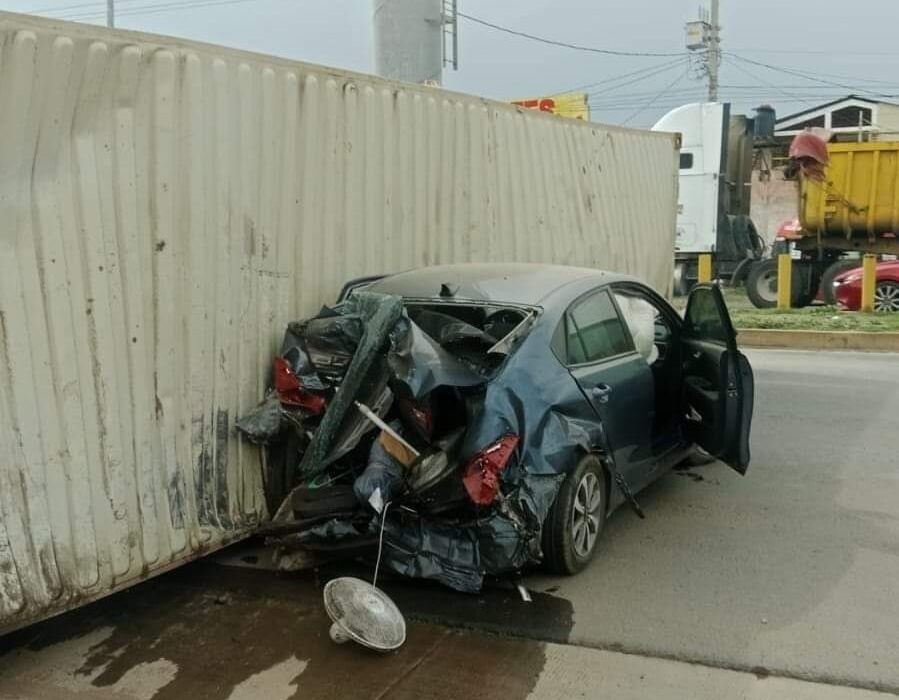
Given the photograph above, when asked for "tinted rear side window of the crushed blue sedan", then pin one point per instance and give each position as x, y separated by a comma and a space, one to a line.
595, 331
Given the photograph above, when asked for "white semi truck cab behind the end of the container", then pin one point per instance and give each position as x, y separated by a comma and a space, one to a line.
715, 178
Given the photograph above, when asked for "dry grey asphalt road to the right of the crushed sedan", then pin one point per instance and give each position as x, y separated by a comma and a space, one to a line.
791, 570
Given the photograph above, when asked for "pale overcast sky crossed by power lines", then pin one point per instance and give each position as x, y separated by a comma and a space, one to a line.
847, 46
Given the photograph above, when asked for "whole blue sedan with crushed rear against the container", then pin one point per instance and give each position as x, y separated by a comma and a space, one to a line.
478, 419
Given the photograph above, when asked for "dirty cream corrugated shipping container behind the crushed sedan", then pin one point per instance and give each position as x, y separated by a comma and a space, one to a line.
166, 208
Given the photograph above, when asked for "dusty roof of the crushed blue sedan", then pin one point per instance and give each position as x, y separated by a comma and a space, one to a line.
517, 283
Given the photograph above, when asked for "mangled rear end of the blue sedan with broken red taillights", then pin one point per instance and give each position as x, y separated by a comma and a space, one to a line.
391, 418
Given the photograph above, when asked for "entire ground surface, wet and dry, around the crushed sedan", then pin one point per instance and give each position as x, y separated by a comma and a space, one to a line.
732, 587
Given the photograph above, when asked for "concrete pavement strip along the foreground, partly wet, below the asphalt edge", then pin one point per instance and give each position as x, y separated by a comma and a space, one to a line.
205, 634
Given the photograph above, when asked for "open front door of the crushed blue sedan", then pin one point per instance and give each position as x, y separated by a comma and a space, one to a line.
718, 382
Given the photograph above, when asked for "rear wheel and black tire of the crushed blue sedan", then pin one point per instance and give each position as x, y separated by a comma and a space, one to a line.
565, 551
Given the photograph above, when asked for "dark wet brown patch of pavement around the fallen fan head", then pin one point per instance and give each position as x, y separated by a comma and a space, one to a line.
215, 633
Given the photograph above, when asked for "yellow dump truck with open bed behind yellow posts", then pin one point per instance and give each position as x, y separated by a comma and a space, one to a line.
854, 208
